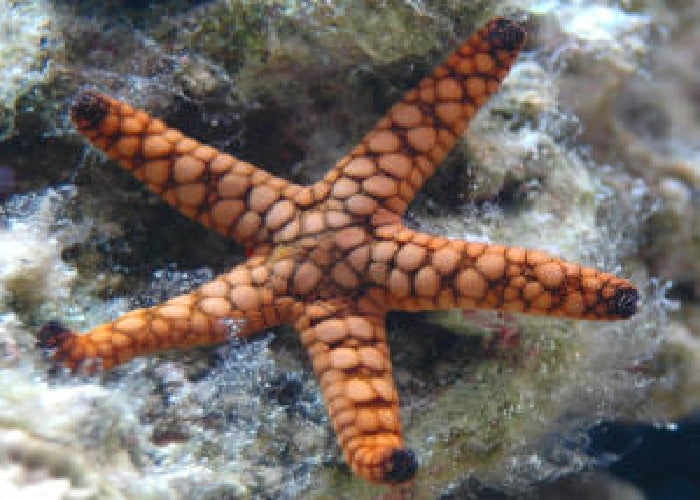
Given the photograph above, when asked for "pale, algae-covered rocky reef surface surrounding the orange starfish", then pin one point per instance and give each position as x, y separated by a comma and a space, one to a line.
590, 151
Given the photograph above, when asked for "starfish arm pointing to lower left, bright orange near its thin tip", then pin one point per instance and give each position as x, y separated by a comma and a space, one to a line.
238, 303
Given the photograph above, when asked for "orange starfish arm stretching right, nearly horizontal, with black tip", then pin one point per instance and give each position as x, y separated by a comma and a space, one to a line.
422, 272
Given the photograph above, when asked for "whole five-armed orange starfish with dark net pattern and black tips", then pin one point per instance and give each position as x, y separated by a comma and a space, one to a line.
333, 258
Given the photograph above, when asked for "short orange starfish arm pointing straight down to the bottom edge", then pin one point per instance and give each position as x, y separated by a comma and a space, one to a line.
351, 359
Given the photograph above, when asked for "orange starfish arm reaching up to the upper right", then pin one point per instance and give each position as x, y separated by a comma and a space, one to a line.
393, 161
